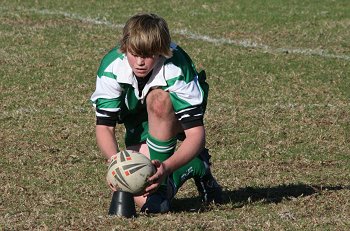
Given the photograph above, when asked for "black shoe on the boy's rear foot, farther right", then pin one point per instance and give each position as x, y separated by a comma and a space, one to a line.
208, 188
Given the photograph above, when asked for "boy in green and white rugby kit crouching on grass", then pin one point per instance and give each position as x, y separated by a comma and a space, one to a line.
151, 86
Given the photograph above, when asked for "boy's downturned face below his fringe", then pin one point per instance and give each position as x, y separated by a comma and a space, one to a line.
141, 66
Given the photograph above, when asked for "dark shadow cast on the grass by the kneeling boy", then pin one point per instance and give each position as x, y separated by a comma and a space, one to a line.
244, 196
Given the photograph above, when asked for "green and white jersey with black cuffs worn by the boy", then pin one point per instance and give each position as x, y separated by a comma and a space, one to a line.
117, 97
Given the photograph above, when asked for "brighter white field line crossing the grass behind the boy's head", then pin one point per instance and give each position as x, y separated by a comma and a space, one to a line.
246, 43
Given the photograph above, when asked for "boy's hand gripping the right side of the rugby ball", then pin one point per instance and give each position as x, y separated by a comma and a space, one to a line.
156, 179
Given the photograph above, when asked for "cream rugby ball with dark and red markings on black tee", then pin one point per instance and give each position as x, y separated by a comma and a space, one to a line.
128, 171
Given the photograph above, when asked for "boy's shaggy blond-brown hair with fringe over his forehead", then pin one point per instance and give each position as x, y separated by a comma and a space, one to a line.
146, 35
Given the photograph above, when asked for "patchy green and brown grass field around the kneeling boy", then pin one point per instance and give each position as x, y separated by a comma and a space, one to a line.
278, 120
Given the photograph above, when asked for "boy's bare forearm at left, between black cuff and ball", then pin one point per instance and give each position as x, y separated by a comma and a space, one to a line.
106, 141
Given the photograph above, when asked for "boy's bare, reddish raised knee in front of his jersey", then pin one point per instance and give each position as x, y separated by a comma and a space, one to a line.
159, 103
